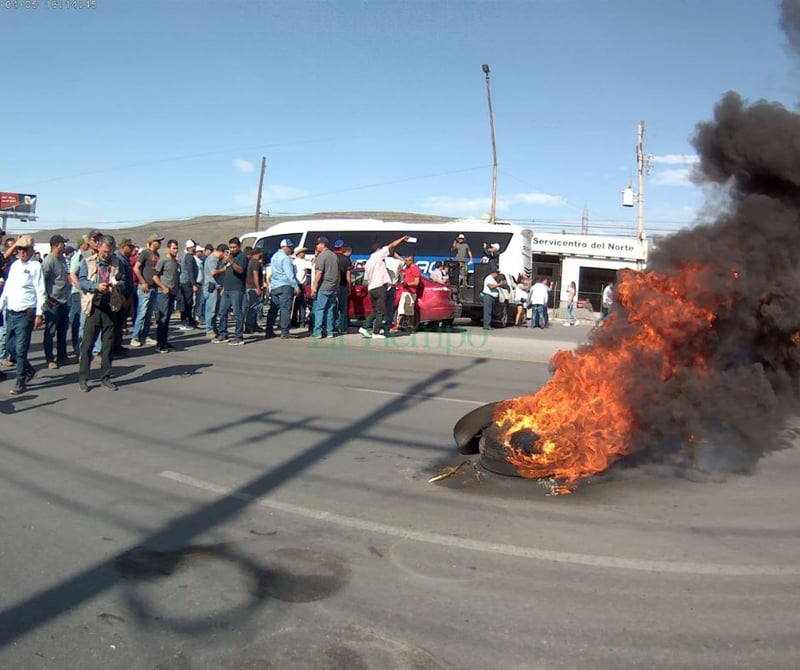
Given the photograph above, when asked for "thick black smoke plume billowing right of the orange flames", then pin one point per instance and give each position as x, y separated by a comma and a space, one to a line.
737, 409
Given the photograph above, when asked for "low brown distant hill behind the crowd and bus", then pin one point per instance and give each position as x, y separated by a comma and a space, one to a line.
216, 229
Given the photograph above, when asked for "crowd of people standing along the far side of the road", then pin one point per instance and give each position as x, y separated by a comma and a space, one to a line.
91, 295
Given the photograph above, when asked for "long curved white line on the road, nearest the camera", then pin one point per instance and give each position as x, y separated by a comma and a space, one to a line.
675, 567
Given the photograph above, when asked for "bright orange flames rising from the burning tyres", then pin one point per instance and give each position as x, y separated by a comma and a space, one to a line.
582, 415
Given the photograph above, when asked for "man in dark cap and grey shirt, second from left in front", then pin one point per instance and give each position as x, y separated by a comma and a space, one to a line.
56, 309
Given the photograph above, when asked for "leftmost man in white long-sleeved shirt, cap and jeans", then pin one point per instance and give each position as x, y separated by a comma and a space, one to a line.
23, 299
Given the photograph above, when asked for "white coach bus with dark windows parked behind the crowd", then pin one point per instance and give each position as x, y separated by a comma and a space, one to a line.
434, 242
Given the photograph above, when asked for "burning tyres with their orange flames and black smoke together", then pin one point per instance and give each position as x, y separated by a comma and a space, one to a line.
699, 363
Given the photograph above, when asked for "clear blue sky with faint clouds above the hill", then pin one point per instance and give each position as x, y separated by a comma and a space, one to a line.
136, 110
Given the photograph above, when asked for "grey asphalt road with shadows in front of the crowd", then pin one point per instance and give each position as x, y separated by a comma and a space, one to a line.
268, 506
